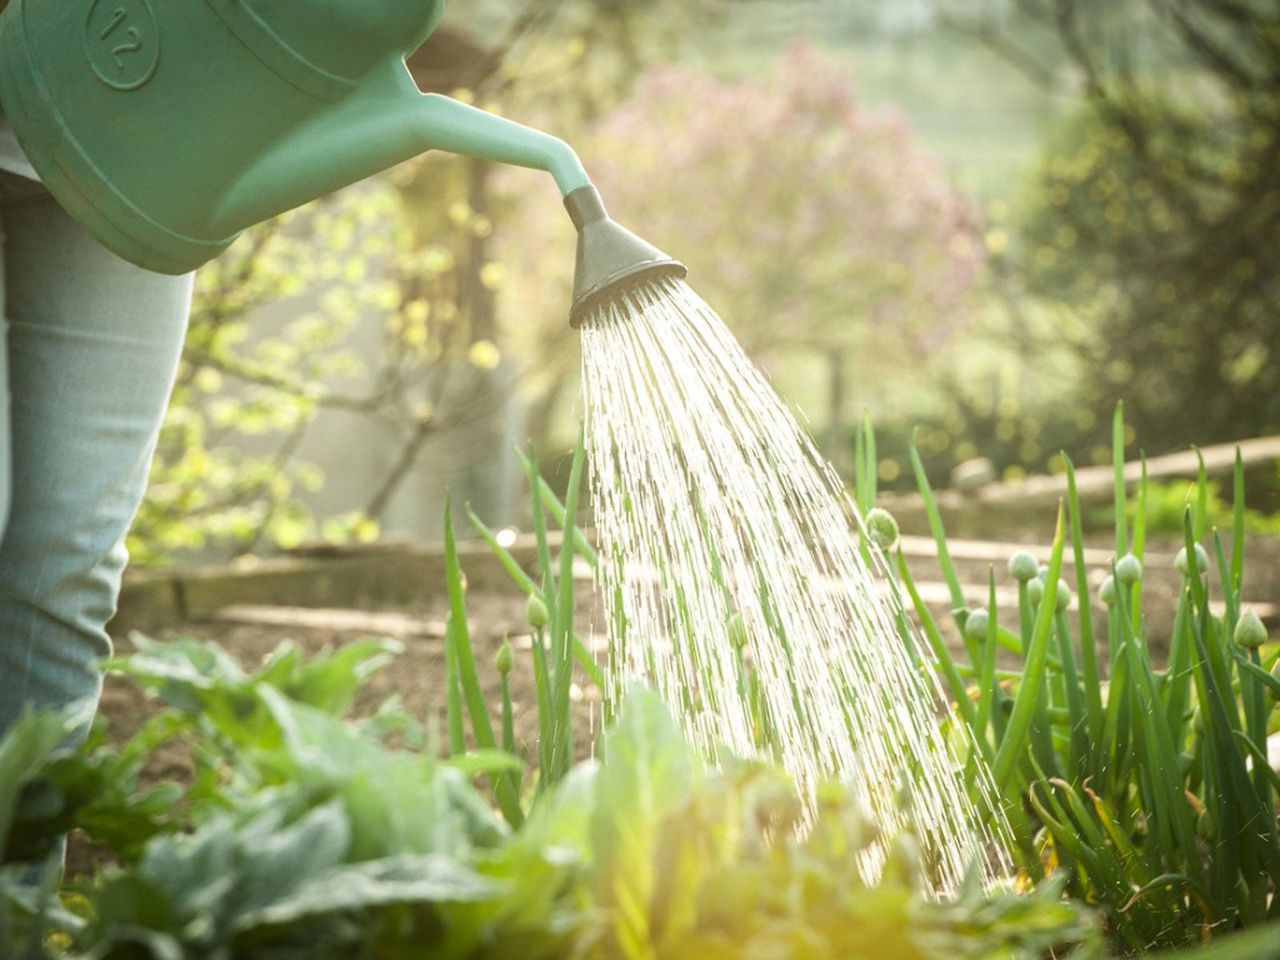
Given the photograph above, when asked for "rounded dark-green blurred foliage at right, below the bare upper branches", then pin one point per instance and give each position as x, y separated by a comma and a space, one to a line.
1169, 250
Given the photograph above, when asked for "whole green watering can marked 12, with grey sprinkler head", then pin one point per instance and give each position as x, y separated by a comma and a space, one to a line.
167, 127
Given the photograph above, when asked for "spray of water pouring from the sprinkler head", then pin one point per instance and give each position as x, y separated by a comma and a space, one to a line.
730, 547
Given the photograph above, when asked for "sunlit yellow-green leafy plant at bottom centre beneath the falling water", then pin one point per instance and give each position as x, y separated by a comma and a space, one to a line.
700, 862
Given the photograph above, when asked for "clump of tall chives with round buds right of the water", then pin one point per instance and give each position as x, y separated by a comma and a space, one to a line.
1146, 783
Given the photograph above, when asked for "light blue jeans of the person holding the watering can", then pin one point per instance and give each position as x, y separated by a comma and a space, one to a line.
89, 351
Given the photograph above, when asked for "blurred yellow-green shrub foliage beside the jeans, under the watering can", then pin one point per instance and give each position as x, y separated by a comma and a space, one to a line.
209, 487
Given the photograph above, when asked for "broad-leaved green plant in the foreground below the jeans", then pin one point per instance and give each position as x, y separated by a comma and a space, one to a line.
299, 831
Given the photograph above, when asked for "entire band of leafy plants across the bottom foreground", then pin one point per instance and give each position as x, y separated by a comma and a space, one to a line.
327, 843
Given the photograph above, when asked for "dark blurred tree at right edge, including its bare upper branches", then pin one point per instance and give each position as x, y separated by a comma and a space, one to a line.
1156, 211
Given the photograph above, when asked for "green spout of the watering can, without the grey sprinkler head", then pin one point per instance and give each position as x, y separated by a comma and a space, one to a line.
382, 126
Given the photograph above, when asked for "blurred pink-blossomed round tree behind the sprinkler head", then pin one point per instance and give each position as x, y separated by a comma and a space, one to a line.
817, 225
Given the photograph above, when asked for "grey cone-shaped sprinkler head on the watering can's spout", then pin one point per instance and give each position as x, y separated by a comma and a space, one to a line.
610, 258
